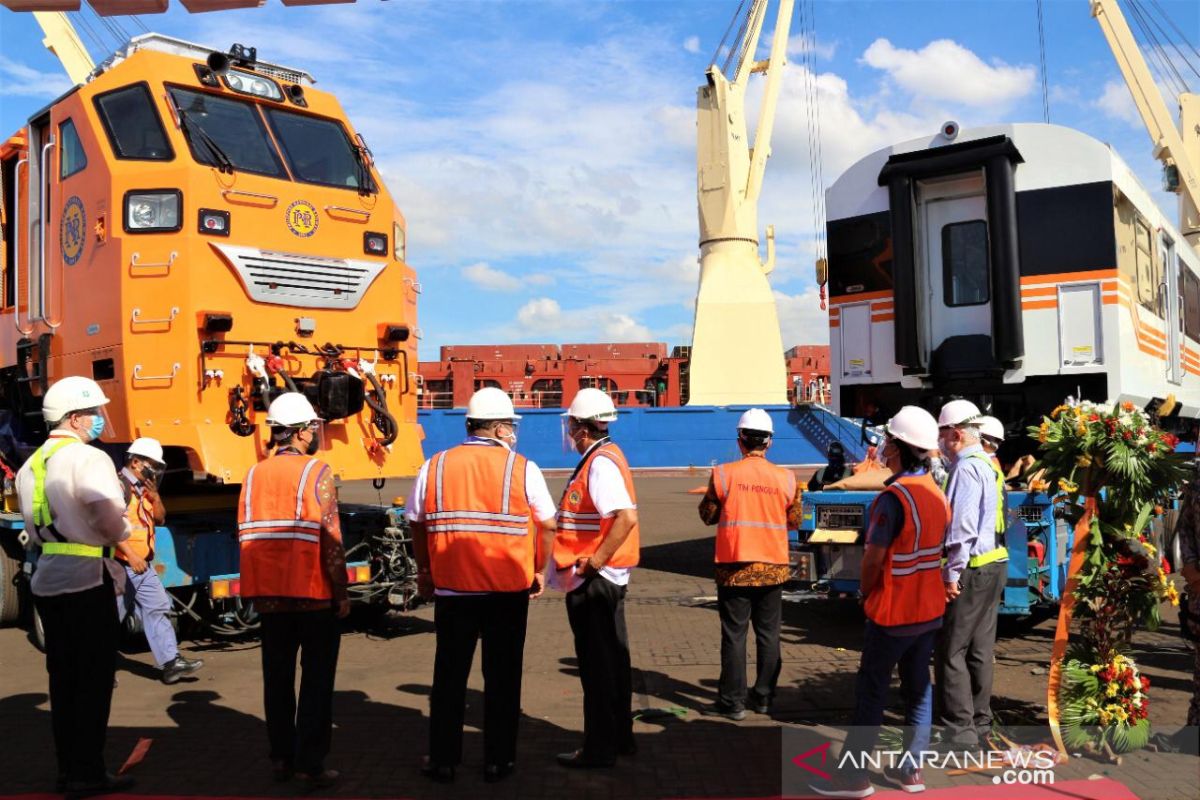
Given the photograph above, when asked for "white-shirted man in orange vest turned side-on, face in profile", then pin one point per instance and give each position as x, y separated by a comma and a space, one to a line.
595, 554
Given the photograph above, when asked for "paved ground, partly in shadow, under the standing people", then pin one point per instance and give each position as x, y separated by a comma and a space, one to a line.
209, 738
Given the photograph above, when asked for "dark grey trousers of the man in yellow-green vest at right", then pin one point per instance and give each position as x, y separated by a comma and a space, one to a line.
963, 667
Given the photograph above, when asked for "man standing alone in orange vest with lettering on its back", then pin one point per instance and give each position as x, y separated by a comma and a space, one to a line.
753, 503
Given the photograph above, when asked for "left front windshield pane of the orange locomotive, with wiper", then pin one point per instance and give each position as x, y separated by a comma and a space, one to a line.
224, 133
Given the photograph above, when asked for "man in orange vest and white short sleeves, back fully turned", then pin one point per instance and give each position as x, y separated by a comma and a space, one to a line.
475, 513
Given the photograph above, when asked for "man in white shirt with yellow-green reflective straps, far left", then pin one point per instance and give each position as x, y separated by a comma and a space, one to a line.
74, 508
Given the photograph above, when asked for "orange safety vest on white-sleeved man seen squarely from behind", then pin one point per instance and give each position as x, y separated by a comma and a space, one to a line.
478, 520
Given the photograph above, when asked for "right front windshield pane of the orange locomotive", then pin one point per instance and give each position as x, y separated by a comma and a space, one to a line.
320, 152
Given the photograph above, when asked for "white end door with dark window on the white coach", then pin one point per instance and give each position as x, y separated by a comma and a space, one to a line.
955, 255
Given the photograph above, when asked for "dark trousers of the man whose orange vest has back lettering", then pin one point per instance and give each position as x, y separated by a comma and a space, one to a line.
737, 607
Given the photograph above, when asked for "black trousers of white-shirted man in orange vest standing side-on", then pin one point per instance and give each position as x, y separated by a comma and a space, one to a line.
597, 613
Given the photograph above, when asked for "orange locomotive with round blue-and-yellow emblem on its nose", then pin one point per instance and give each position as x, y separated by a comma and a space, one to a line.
199, 231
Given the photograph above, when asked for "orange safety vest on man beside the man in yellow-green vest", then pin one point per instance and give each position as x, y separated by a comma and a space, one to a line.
911, 590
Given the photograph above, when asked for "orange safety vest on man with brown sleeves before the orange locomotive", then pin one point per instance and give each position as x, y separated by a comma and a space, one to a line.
279, 528
